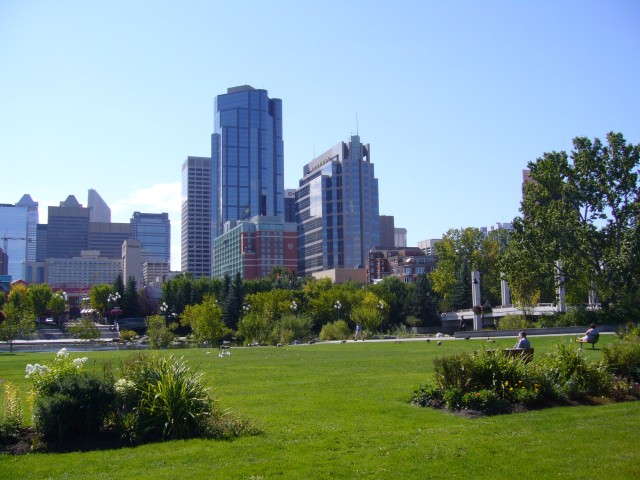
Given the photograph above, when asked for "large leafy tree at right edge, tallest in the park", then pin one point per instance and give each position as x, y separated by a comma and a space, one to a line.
582, 210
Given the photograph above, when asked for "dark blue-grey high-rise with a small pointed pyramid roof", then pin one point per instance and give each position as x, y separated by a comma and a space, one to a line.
68, 230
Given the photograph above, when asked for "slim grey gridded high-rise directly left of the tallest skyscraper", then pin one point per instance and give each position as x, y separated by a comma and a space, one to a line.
196, 216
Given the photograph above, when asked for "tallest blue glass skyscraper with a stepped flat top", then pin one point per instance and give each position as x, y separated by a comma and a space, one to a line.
247, 156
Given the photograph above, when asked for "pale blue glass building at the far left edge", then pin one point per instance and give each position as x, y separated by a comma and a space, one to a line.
18, 224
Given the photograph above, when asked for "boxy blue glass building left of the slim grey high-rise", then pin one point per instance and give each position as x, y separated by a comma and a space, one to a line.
154, 232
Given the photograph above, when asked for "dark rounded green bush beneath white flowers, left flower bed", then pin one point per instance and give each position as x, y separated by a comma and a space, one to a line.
73, 405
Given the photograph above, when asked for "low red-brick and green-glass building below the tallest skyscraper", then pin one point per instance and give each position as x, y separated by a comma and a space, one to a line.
254, 247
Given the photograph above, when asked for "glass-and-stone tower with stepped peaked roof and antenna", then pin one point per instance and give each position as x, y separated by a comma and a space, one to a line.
338, 216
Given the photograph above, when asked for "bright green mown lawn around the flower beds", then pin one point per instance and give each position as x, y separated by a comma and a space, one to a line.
342, 411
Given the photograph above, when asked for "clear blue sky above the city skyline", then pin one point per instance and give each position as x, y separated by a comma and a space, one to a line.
453, 97
